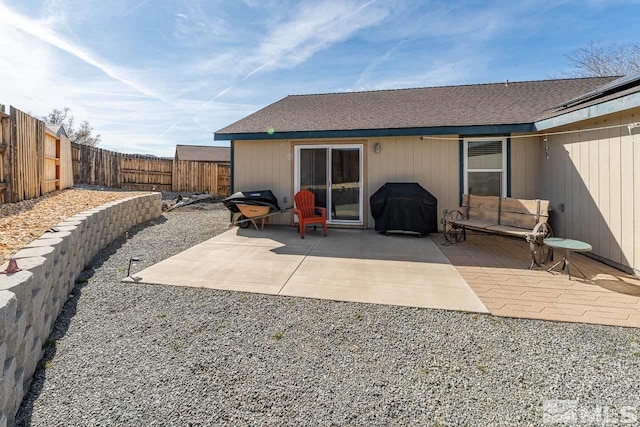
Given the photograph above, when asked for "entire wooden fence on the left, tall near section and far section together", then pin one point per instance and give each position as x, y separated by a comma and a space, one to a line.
35, 161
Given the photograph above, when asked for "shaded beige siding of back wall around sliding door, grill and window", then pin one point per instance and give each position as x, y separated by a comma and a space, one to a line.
433, 162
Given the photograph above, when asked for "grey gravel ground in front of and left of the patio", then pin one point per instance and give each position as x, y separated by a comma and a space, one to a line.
133, 354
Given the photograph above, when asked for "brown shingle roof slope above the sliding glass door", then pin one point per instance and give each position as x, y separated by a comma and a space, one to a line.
467, 105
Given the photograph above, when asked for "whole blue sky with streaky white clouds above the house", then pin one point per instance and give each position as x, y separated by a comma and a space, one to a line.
149, 74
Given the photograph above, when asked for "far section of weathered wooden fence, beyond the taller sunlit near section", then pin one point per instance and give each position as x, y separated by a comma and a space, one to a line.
112, 169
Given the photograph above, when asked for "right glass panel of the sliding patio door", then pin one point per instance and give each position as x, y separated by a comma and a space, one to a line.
345, 184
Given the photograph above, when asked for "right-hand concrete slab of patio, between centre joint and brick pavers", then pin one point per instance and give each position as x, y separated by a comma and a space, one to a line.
363, 266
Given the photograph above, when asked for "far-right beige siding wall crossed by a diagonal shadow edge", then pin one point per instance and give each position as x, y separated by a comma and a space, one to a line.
595, 175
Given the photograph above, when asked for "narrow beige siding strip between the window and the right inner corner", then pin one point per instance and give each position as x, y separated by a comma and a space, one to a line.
526, 155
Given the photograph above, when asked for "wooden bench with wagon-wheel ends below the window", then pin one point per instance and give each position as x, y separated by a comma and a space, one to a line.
502, 215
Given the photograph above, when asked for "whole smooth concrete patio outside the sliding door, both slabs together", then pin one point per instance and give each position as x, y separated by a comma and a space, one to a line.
349, 265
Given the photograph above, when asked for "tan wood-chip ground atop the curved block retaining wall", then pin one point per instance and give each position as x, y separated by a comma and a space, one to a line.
23, 222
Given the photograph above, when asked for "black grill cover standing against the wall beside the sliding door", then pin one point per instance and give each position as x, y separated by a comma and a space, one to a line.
404, 206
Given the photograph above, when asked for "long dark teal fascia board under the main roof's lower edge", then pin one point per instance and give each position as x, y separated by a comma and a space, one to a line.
477, 130
